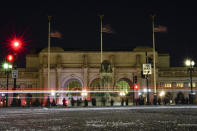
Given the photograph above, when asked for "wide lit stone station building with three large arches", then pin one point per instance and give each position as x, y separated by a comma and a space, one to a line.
83, 71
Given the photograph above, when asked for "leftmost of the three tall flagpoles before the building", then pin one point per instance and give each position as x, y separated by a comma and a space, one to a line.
49, 44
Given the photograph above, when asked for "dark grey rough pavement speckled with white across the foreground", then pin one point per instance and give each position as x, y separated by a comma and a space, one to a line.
142, 118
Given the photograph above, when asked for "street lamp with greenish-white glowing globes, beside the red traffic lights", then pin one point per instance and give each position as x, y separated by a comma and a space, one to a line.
7, 67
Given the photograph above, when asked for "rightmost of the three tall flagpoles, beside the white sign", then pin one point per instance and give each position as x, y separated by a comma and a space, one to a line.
154, 60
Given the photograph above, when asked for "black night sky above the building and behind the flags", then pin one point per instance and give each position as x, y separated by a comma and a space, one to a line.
78, 22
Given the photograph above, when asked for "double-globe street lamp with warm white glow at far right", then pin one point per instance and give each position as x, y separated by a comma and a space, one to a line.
190, 64
